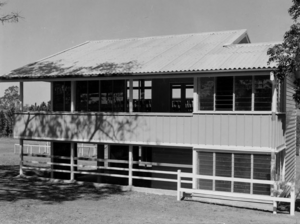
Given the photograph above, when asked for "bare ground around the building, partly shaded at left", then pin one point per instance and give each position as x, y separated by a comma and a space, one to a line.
35, 201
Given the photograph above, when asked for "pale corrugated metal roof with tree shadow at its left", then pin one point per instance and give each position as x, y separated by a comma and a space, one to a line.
213, 51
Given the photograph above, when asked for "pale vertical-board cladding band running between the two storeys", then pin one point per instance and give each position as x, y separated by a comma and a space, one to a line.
237, 130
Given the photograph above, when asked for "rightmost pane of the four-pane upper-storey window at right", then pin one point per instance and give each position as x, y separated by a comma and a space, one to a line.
263, 93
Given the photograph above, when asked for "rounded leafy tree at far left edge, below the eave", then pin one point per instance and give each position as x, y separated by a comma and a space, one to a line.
10, 99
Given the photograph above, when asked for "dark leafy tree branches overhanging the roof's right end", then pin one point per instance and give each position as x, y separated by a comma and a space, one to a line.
286, 54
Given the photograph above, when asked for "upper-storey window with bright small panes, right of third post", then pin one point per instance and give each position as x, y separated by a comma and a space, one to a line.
142, 96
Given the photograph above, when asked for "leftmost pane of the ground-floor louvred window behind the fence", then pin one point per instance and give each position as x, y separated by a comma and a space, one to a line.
205, 168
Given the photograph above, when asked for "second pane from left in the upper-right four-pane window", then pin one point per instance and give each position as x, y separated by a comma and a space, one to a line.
224, 93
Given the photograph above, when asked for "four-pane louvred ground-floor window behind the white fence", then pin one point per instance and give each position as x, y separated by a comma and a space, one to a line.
248, 166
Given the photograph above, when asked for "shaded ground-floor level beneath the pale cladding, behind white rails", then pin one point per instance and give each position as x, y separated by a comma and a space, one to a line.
154, 166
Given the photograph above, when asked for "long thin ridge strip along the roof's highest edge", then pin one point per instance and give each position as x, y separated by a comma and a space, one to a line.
173, 35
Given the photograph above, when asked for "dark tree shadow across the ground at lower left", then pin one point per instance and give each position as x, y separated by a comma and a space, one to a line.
14, 188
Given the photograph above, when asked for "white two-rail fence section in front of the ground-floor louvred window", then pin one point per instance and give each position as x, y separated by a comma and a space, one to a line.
181, 191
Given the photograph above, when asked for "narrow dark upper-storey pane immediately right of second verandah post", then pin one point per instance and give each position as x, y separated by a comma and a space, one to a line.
81, 96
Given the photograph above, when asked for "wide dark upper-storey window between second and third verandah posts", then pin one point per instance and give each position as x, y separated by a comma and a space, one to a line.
105, 96
